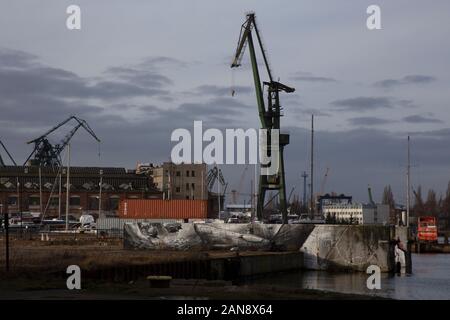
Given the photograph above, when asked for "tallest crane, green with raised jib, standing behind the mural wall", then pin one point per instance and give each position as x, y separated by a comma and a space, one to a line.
269, 116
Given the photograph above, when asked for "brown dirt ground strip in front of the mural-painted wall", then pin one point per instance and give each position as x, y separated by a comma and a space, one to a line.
35, 256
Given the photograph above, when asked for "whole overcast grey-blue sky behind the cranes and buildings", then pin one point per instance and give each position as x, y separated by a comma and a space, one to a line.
139, 69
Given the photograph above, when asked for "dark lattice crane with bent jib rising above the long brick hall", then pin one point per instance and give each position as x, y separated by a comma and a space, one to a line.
48, 155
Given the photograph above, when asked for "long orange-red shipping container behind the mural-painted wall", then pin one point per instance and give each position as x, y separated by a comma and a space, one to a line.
163, 209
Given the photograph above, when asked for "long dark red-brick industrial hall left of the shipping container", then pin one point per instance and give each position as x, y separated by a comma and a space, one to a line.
21, 187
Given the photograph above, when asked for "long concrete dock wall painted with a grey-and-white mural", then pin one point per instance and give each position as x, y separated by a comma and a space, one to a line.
323, 247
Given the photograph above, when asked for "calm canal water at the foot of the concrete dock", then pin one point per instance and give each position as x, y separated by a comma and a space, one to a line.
430, 280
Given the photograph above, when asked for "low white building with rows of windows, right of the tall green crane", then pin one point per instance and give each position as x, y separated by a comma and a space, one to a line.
358, 213
